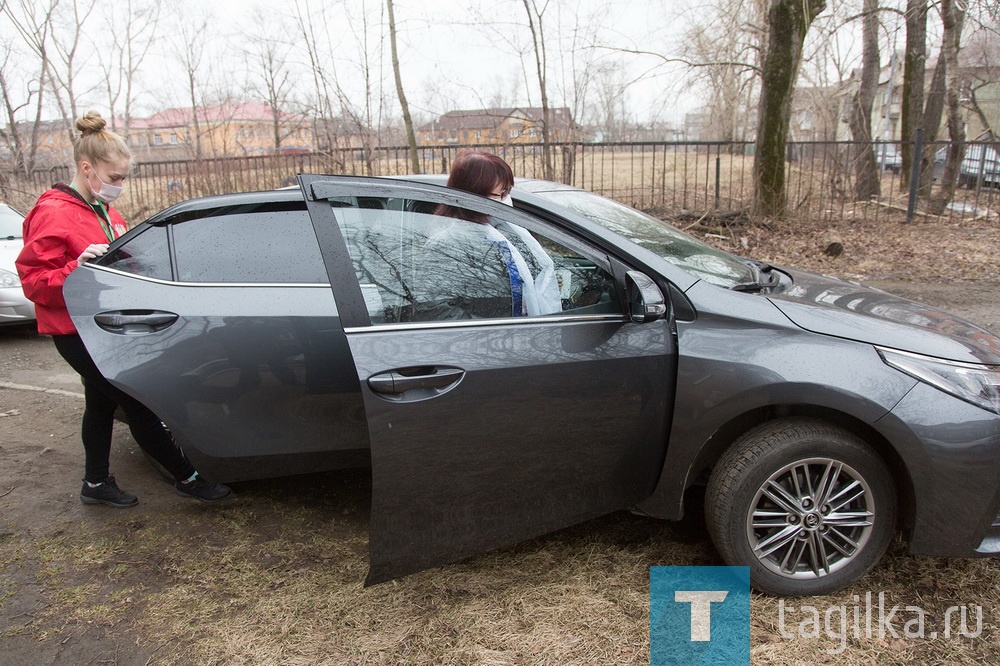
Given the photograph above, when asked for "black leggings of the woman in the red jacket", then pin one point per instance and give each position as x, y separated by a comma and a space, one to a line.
99, 415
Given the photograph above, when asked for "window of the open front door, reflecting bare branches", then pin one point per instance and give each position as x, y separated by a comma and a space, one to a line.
415, 265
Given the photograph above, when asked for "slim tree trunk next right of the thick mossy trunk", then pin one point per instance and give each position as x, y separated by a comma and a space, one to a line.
866, 180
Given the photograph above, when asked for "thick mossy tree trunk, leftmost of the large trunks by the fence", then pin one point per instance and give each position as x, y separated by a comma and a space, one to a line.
787, 24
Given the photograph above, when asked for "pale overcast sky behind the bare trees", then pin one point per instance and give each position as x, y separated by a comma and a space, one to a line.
454, 53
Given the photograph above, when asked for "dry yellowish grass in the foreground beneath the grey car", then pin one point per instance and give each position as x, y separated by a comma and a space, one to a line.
276, 577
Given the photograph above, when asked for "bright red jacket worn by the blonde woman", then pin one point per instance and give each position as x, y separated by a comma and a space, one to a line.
57, 230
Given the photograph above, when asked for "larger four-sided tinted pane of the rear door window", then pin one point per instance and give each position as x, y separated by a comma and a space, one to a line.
266, 246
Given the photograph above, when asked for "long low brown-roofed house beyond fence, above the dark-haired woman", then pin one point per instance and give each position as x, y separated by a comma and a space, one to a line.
497, 126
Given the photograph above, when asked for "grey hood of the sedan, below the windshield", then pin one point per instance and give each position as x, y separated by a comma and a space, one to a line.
845, 309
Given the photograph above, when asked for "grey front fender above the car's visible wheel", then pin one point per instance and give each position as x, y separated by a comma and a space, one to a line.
740, 364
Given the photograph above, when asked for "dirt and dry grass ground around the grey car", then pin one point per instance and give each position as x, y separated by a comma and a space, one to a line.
274, 576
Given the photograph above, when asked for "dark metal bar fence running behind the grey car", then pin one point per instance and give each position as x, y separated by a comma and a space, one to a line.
670, 178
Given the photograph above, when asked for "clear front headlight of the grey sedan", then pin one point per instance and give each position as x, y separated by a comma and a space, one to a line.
972, 382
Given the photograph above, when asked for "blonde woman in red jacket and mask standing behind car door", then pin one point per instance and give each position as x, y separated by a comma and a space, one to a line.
71, 224
